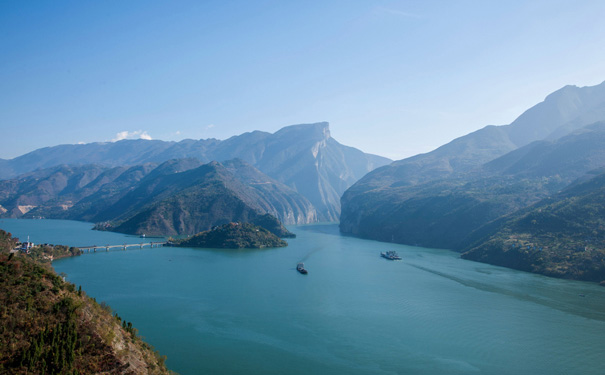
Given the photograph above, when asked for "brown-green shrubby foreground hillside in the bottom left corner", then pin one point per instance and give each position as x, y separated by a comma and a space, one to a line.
49, 327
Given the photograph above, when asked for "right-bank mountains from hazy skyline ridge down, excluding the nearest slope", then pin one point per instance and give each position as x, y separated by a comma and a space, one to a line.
449, 197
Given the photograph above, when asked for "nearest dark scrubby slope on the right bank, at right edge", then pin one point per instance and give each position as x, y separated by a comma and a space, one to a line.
561, 236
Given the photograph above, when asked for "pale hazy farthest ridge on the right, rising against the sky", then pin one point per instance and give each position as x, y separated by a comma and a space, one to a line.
562, 112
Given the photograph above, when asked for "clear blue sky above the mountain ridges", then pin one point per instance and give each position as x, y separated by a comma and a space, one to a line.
393, 78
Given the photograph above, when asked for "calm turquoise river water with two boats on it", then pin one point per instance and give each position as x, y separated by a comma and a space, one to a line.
250, 312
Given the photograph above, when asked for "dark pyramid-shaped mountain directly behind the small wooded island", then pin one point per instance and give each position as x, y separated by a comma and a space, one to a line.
195, 200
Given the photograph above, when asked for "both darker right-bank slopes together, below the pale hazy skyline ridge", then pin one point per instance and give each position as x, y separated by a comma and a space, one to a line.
499, 212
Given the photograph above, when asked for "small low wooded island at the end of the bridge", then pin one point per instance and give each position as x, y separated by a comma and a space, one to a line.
233, 236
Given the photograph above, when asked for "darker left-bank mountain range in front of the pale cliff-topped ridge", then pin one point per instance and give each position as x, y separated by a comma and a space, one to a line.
177, 197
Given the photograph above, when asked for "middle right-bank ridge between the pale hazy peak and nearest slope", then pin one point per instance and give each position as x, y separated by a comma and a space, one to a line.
451, 212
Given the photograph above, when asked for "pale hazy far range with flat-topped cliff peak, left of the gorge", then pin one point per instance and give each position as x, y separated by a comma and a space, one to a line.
304, 157
